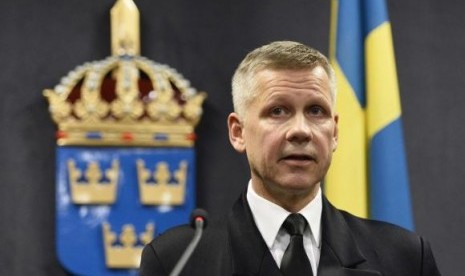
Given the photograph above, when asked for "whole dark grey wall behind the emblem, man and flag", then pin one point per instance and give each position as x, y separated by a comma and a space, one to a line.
40, 41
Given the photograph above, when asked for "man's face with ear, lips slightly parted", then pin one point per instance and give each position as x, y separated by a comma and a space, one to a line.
289, 132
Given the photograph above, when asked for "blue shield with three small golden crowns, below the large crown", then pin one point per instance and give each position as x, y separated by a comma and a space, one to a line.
111, 201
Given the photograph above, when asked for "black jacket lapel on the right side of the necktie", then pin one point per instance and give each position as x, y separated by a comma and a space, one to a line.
340, 254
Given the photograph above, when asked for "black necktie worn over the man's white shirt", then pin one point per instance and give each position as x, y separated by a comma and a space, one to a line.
295, 261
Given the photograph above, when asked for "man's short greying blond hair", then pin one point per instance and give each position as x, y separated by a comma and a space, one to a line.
279, 55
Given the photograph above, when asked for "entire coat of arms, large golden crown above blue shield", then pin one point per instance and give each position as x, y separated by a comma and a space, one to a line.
125, 159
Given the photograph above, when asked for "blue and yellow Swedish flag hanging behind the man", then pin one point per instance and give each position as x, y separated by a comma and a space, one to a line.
368, 176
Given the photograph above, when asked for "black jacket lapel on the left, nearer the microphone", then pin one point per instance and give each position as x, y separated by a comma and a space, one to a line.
250, 255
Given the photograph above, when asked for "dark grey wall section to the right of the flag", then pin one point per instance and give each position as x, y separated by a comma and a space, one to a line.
429, 43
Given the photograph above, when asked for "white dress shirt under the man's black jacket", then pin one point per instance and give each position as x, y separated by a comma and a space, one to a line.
269, 218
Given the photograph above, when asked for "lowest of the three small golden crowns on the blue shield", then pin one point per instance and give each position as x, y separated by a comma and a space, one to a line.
125, 250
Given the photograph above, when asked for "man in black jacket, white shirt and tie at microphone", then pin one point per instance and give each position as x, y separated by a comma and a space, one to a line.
284, 121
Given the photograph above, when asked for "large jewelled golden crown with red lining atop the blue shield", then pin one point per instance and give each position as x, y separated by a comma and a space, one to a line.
125, 99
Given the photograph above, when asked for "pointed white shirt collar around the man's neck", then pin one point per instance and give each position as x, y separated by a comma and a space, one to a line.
269, 216
